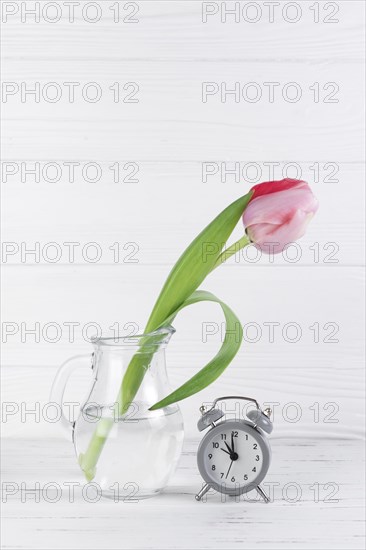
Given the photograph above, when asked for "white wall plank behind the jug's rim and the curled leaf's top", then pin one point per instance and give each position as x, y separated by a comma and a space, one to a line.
97, 294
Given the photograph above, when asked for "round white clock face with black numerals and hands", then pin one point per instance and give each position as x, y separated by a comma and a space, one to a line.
234, 457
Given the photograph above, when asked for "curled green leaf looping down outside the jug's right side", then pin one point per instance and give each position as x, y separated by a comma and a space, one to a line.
217, 365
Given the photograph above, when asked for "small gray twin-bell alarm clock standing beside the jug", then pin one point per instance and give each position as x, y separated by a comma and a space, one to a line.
234, 456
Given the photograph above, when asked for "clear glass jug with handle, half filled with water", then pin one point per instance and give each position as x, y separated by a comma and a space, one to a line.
130, 452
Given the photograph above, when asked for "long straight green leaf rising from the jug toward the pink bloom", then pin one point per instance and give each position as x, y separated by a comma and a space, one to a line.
196, 262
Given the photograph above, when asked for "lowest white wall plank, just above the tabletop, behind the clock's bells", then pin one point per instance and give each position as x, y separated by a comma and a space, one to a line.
316, 403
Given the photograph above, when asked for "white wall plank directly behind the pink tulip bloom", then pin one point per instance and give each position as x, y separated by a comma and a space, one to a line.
334, 238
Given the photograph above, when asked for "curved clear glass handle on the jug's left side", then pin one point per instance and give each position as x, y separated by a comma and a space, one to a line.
59, 384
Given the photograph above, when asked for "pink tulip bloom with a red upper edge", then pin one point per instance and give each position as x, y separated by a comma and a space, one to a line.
278, 213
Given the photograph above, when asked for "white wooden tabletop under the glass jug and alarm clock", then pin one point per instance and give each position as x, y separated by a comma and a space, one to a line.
318, 503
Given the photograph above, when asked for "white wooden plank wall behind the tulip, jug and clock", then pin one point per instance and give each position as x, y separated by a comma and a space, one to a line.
168, 134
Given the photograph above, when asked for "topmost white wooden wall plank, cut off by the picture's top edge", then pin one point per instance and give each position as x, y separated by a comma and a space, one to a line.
180, 25
